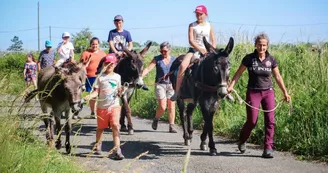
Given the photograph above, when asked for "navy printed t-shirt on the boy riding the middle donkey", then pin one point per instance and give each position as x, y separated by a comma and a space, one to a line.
123, 37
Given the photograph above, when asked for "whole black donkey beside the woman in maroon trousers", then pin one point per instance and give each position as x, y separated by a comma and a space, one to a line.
204, 83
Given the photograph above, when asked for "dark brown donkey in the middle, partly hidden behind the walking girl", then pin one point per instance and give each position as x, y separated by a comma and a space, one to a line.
130, 68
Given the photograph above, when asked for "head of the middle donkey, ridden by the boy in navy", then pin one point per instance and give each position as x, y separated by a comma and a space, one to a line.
134, 62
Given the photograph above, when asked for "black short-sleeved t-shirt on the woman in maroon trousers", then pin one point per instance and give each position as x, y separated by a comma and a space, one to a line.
259, 72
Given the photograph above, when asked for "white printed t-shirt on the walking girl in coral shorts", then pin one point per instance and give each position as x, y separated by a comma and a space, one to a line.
108, 86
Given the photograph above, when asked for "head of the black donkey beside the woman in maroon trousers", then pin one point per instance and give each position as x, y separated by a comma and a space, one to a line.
218, 65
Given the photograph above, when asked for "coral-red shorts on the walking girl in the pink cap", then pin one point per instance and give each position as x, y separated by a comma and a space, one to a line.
107, 117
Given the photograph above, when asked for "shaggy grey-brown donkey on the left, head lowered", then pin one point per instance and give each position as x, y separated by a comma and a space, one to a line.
60, 88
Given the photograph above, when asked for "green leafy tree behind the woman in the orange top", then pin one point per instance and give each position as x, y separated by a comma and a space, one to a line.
81, 40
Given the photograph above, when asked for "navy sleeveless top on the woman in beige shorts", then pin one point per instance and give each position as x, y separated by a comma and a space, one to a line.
162, 69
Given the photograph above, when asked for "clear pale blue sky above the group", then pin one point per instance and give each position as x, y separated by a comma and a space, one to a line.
289, 21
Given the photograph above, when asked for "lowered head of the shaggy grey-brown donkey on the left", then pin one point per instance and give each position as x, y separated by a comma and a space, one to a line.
73, 78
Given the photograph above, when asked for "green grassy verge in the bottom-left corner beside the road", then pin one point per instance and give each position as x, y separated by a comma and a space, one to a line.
22, 152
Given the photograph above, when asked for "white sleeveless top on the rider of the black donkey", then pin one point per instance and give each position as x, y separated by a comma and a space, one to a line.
199, 31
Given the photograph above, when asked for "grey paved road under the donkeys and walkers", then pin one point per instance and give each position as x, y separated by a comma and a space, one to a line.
166, 153
